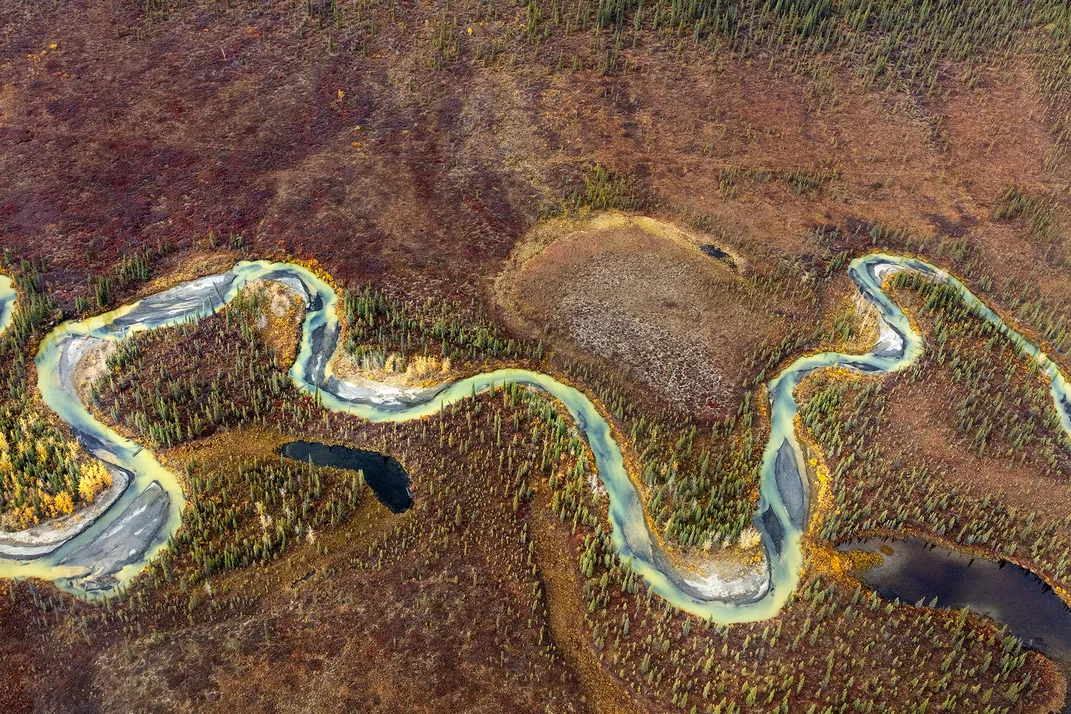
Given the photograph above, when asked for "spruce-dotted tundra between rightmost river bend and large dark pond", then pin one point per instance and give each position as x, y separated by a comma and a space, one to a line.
999, 407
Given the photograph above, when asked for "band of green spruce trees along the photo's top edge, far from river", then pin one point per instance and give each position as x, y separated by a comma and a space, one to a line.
897, 45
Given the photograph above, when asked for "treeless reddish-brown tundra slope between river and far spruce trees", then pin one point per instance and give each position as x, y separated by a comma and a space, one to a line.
232, 126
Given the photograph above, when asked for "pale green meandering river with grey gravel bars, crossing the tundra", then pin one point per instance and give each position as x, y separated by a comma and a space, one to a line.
115, 546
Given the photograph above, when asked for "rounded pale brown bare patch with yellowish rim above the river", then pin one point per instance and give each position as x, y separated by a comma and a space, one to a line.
642, 296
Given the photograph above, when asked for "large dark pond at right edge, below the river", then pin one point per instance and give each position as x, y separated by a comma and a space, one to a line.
913, 570
